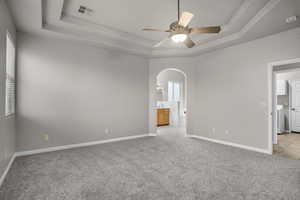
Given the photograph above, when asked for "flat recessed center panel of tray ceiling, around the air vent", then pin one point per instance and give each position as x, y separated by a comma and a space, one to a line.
133, 15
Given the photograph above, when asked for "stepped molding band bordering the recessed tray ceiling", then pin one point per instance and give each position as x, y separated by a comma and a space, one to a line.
109, 37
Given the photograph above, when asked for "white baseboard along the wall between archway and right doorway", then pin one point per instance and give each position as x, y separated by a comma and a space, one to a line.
265, 151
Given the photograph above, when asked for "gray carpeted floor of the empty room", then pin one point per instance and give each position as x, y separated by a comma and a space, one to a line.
166, 167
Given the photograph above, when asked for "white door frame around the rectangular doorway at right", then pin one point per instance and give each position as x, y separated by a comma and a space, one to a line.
272, 100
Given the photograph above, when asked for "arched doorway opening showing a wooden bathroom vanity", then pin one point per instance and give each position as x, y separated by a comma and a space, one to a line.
171, 102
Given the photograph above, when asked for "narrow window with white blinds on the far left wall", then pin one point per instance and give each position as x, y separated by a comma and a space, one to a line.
10, 77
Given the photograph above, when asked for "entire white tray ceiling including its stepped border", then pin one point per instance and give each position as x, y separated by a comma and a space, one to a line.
118, 23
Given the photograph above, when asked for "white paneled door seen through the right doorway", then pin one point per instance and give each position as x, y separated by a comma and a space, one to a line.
295, 106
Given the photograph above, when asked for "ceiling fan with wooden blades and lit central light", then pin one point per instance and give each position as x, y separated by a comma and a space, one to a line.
179, 30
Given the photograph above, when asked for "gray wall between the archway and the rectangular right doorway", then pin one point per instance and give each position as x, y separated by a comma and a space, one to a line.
232, 89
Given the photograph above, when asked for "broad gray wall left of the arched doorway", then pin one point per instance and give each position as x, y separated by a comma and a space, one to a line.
72, 92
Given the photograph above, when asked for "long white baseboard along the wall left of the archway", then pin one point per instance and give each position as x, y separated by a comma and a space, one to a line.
71, 146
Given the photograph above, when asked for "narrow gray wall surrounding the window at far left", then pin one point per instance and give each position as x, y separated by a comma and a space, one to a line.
7, 133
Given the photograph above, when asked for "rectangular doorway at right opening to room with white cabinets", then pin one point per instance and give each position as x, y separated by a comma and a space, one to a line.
286, 109
